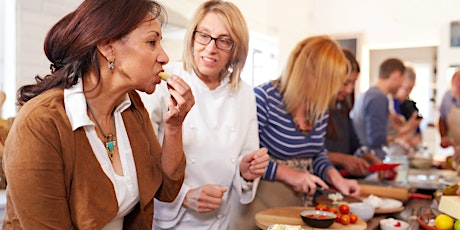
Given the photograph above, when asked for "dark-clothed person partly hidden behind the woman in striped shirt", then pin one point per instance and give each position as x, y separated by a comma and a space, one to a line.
341, 139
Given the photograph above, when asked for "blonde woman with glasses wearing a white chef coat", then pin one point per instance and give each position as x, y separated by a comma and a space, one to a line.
220, 133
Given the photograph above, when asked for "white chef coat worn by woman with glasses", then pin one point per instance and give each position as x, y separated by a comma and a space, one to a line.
219, 129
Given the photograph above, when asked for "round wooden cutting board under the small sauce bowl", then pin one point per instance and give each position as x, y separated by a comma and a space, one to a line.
291, 216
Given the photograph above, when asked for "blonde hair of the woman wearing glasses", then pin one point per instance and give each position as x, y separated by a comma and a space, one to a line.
235, 24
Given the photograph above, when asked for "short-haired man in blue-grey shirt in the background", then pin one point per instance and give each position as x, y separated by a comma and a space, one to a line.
370, 113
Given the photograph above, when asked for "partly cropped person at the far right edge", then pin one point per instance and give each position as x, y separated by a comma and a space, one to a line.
449, 114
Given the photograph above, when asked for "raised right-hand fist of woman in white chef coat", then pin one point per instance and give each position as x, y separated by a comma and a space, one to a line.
253, 165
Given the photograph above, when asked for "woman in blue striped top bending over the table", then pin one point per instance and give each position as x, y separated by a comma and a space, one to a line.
292, 115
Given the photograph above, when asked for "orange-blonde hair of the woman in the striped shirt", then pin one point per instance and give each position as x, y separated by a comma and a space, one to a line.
315, 70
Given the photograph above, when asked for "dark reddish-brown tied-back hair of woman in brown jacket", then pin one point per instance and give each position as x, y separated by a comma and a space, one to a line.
71, 44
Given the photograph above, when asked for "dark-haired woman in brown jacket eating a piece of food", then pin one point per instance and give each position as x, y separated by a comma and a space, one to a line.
82, 153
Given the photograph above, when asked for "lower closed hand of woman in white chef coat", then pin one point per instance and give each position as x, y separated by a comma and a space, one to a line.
205, 198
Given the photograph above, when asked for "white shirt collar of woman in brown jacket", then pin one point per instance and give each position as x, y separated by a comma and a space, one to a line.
75, 106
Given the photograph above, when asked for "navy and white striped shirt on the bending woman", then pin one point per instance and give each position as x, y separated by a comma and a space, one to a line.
280, 135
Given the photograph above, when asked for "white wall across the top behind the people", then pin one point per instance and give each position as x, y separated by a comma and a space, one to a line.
380, 23
